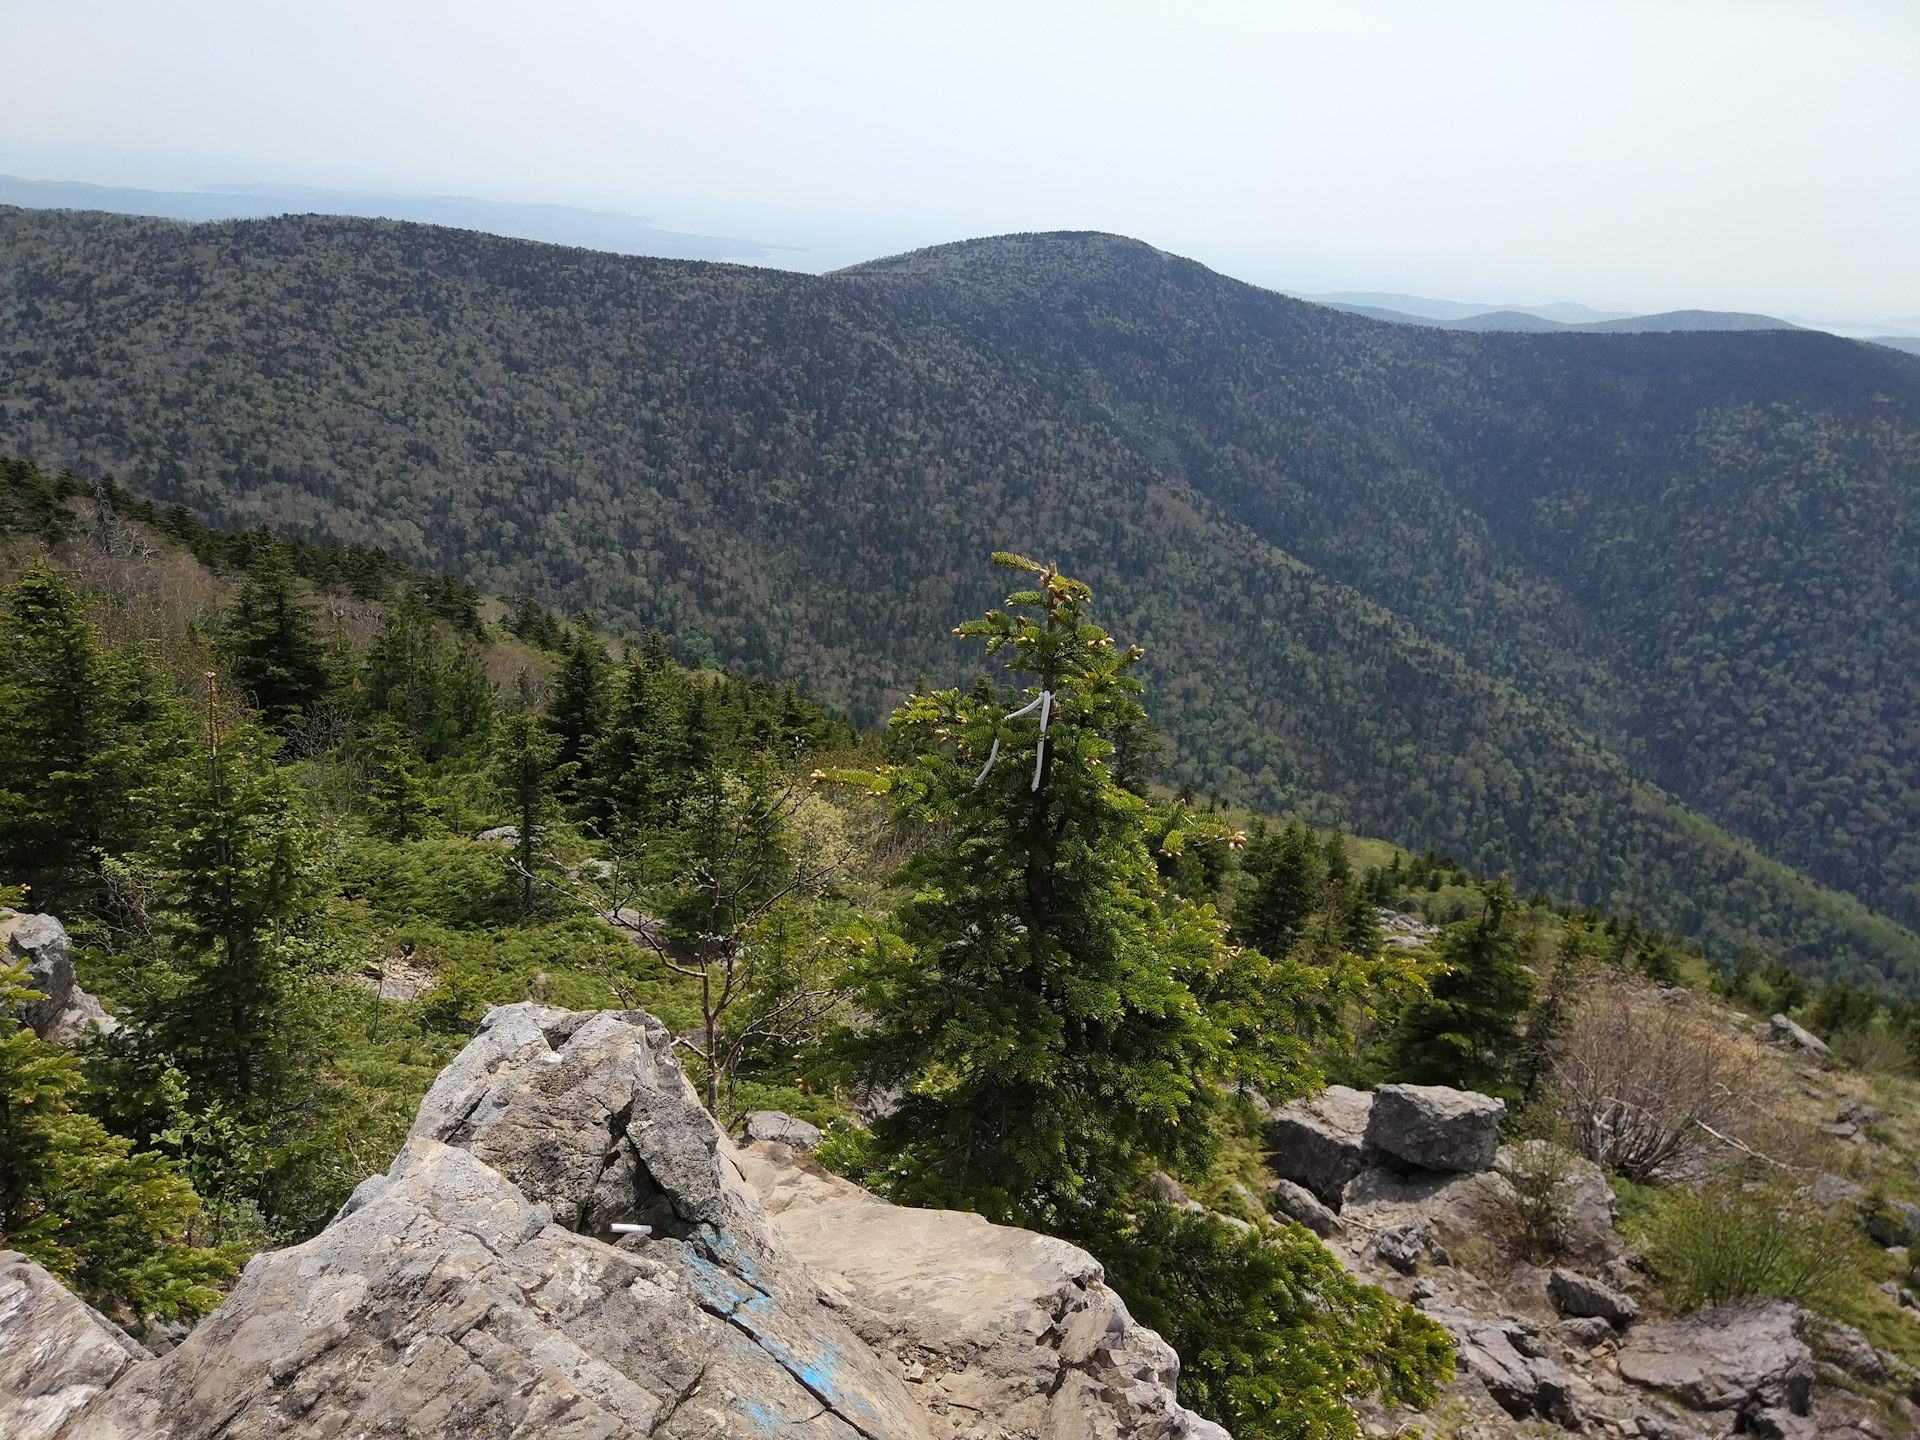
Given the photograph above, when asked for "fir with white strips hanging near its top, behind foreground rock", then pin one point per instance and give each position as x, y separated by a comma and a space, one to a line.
1057, 1024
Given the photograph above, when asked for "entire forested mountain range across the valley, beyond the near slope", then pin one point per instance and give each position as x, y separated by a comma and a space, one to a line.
1627, 617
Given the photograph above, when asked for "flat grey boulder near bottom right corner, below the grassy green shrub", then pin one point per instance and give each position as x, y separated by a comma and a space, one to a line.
1746, 1356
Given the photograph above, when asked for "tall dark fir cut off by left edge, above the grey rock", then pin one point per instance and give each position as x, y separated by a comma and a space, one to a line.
80, 729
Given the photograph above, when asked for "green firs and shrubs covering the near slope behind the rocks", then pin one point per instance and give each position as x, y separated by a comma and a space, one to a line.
310, 811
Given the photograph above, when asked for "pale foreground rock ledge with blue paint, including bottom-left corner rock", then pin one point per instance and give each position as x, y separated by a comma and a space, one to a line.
569, 1249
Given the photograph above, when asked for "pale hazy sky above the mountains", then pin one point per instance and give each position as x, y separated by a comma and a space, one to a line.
1740, 155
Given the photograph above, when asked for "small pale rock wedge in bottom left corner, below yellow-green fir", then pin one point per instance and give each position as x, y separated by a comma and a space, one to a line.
57, 1353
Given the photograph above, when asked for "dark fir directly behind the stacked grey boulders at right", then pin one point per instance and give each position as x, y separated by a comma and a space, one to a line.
1468, 1030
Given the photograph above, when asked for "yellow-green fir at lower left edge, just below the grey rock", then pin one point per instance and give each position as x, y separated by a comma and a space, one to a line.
108, 1220
